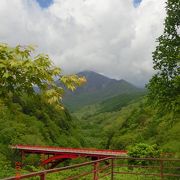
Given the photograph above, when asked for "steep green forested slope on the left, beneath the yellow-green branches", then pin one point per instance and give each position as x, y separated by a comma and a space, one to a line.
29, 120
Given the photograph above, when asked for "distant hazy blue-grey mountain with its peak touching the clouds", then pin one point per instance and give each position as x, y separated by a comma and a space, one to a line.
98, 88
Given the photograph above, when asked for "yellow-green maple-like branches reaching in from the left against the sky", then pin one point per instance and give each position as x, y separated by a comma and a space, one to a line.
21, 71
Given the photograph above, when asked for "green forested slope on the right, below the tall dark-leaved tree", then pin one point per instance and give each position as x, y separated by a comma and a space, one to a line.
140, 123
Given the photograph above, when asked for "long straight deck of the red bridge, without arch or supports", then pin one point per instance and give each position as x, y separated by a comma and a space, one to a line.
60, 150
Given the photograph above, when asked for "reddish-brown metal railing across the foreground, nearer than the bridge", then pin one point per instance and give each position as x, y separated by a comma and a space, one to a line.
115, 167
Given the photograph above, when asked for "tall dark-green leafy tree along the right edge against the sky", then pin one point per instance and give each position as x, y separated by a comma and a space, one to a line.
164, 87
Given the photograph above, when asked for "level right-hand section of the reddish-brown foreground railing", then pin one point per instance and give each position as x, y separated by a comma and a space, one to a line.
160, 165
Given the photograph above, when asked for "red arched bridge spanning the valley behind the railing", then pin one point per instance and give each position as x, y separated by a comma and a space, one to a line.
52, 156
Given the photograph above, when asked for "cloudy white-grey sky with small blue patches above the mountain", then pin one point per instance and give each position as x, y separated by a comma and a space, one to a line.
112, 37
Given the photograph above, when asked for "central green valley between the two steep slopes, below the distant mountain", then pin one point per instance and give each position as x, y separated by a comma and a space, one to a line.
97, 121
